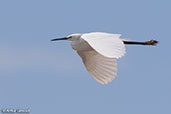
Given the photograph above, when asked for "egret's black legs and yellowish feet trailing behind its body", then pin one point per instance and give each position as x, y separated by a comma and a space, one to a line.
151, 42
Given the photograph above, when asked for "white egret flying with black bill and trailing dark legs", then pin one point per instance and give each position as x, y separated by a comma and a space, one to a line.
99, 52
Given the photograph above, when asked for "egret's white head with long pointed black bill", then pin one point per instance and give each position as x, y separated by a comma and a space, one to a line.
71, 37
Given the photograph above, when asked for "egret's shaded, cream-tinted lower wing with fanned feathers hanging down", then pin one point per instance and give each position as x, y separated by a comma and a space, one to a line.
103, 69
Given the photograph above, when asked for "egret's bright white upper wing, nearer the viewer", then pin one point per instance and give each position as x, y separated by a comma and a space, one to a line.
108, 45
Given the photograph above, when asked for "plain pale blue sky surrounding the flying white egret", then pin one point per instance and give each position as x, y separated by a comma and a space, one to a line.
49, 77
